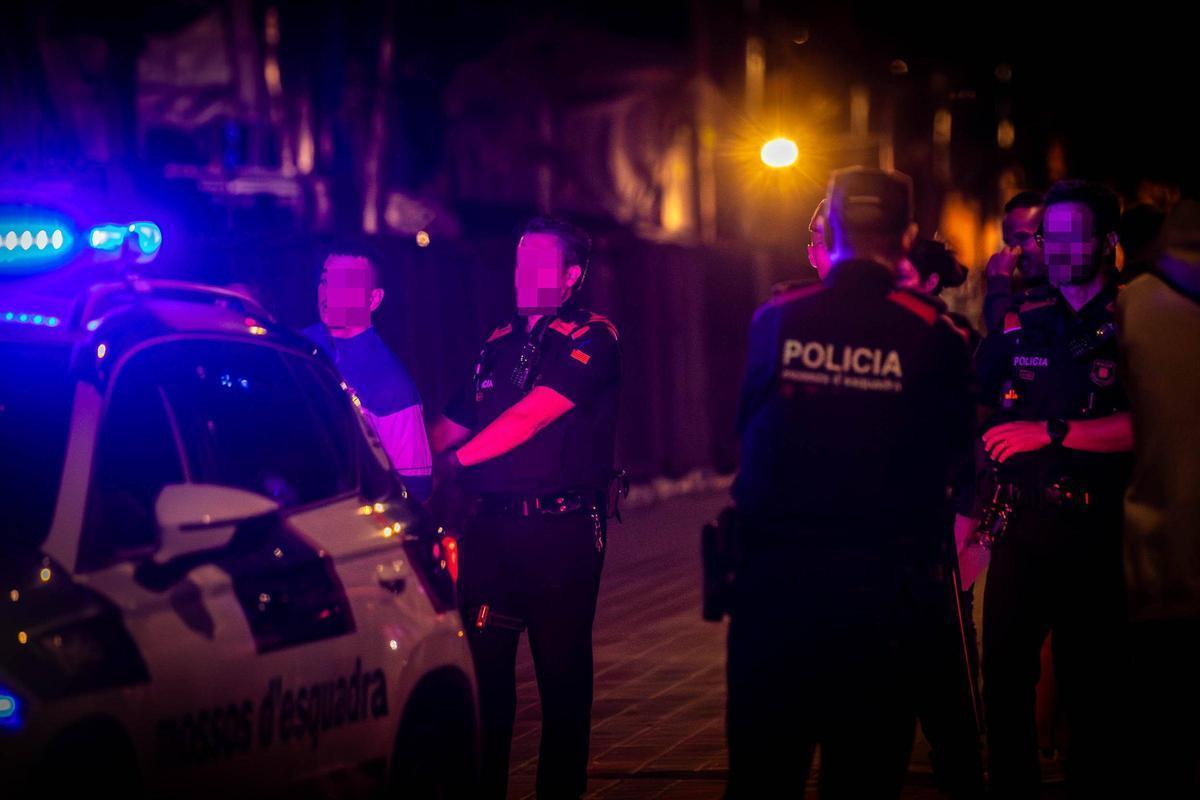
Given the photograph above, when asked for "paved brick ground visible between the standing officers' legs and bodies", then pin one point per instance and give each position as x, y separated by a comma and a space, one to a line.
658, 727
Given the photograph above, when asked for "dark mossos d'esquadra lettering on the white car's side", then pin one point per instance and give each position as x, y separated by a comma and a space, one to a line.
287, 714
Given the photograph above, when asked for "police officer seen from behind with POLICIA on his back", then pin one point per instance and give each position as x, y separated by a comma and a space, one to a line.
855, 406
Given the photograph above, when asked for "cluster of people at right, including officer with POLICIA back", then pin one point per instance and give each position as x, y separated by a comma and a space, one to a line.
889, 455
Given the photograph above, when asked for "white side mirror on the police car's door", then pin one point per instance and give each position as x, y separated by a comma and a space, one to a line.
195, 518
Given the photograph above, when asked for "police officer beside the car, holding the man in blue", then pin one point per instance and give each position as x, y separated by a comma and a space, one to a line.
533, 434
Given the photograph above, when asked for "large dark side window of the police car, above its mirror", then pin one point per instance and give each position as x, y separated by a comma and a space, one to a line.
255, 418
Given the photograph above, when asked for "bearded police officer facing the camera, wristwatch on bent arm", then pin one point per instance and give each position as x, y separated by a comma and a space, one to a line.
1059, 438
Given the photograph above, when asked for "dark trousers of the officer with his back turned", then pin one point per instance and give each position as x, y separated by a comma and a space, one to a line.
813, 659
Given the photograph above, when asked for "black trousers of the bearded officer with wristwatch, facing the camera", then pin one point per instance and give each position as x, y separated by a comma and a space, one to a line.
1058, 573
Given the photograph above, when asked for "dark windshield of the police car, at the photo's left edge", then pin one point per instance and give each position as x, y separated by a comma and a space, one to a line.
35, 410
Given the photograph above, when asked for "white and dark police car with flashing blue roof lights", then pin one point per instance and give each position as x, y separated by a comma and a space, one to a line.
212, 578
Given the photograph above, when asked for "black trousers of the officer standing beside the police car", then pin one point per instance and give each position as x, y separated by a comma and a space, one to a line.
541, 574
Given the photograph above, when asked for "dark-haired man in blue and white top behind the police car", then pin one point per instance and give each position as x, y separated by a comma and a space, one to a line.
347, 296
